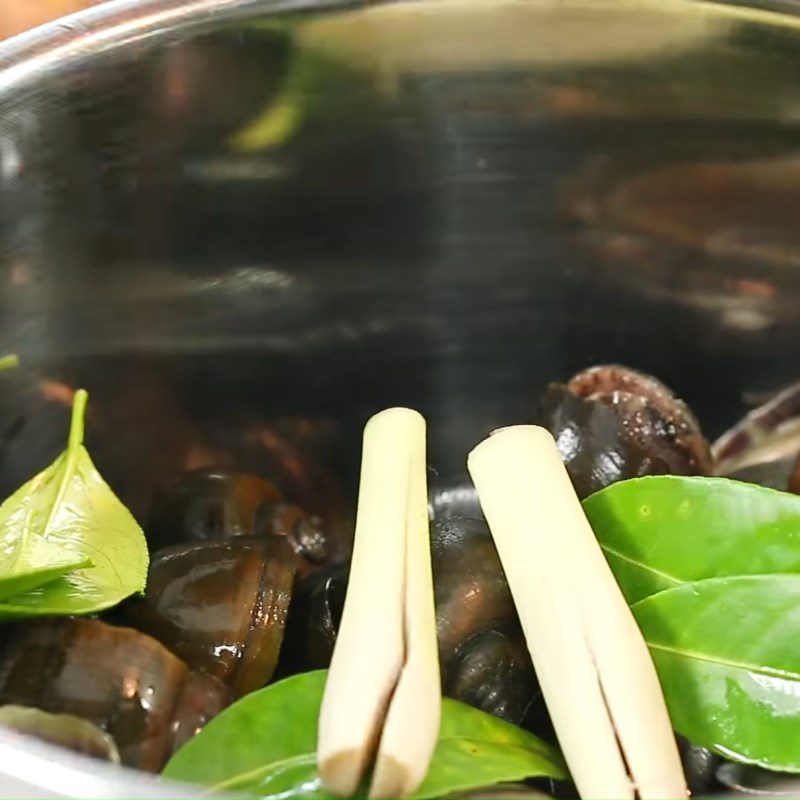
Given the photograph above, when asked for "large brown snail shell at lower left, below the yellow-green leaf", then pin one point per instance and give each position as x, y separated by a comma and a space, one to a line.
121, 680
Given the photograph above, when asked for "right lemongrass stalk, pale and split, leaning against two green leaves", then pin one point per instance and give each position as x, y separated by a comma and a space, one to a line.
598, 679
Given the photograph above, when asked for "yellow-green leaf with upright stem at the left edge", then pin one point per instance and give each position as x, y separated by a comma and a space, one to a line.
71, 547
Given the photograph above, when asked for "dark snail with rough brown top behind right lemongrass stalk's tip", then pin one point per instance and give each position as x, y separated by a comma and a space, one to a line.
612, 423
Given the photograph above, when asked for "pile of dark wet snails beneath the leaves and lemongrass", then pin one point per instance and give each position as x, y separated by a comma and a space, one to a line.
249, 585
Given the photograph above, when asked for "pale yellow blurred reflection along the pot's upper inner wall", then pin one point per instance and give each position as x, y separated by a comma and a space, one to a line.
441, 35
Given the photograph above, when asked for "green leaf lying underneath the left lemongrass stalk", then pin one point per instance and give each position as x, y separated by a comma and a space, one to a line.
265, 744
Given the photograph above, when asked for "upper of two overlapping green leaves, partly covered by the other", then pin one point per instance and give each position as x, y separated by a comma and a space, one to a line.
659, 532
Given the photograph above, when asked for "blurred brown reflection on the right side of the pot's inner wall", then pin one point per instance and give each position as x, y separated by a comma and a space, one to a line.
717, 235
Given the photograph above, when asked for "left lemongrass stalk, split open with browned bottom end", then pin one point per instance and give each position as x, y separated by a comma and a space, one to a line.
382, 695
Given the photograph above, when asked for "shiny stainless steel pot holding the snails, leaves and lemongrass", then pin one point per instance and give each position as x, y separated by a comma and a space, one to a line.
322, 208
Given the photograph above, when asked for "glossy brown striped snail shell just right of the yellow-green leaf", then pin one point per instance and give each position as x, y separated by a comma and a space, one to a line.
221, 606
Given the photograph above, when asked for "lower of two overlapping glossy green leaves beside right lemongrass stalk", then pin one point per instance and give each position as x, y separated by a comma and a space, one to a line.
727, 655
